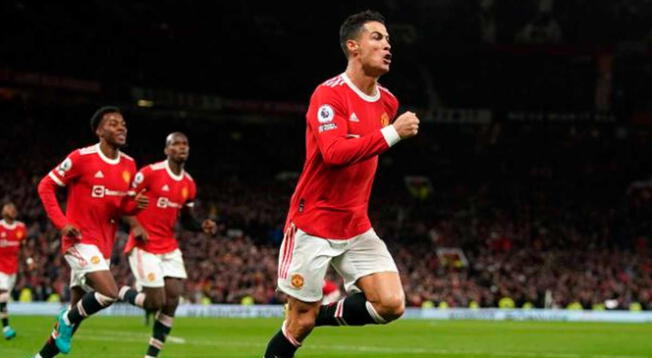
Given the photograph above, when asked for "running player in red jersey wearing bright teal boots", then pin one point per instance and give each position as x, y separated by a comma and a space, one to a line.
98, 179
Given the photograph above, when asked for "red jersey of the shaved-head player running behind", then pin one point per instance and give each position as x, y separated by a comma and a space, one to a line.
167, 193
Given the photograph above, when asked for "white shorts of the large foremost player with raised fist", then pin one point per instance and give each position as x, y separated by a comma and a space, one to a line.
304, 259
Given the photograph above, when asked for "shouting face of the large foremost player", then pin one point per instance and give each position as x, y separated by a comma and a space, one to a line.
374, 48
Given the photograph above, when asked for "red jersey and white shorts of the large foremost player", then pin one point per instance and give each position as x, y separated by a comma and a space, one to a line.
328, 218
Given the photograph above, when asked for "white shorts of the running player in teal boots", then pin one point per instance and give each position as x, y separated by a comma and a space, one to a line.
84, 259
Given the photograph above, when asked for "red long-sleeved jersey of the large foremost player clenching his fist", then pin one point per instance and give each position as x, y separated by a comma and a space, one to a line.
346, 130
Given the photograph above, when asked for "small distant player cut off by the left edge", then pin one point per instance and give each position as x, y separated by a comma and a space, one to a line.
12, 232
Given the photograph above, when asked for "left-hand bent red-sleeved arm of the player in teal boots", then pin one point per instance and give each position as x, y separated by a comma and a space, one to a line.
59, 177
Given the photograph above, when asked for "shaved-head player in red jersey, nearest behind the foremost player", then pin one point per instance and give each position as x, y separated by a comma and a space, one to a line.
154, 255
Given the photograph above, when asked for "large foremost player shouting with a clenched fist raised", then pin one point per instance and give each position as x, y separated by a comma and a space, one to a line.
348, 126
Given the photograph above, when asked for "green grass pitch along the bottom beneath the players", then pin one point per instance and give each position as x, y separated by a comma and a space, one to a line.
122, 337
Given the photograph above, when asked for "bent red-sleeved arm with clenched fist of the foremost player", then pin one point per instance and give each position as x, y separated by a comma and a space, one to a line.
326, 118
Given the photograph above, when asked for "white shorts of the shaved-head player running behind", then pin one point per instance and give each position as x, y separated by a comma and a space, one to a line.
151, 269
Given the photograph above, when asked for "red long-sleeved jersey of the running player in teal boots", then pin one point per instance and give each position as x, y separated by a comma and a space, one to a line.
98, 195
